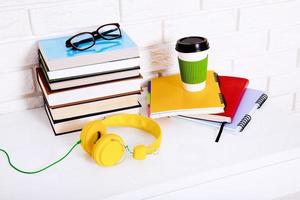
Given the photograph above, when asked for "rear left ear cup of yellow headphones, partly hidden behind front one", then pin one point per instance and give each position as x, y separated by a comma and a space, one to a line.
90, 134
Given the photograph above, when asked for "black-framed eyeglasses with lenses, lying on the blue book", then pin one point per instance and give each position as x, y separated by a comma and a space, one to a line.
86, 40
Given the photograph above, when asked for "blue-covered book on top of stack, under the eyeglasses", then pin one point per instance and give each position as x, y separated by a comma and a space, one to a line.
57, 56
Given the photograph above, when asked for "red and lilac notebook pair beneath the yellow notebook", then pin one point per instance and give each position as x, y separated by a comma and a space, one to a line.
241, 103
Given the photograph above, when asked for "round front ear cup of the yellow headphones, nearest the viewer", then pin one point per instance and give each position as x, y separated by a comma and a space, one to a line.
109, 150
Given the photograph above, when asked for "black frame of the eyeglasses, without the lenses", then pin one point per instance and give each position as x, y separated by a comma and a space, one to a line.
95, 36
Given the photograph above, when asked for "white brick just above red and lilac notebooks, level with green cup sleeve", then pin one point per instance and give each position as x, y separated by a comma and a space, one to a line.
266, 64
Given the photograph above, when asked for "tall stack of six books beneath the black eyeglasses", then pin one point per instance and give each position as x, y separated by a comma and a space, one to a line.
79, 86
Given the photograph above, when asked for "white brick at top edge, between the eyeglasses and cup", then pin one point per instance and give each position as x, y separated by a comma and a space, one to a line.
133, 10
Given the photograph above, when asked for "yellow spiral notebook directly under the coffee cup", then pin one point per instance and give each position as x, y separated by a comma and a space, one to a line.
169, 98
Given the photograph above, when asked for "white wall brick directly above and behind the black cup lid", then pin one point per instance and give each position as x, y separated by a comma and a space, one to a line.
204, 24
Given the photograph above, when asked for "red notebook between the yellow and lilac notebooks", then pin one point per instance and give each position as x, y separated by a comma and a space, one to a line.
233, 89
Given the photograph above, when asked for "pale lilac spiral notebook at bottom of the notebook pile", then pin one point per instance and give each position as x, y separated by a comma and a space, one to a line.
251, 101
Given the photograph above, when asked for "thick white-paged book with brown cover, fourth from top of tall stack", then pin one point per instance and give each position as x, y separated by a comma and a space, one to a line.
63, 97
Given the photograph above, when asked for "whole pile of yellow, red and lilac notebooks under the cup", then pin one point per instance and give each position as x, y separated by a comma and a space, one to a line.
225, 102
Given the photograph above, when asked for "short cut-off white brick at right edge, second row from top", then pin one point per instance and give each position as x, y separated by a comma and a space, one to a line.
286, 37
